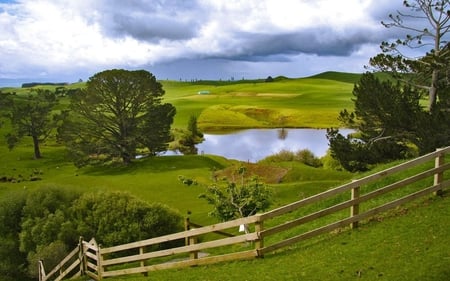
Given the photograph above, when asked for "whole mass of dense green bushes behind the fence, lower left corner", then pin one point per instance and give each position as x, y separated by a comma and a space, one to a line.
46, 223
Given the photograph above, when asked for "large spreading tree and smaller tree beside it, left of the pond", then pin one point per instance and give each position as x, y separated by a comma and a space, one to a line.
117, 115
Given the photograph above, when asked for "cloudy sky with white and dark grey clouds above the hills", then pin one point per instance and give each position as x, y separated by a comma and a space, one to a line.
65, 40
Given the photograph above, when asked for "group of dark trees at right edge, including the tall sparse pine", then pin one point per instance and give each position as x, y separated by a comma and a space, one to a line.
389, 117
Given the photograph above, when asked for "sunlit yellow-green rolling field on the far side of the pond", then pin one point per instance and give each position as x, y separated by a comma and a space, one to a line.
301, 103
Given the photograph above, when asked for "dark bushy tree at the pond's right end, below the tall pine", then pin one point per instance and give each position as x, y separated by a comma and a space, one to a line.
388, 118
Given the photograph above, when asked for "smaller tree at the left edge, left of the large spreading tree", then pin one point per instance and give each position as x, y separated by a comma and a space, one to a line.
30, 117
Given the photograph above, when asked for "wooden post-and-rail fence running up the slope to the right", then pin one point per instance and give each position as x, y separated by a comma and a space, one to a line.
333, 209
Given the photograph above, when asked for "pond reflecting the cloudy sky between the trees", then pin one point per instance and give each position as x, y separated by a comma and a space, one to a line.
255, 144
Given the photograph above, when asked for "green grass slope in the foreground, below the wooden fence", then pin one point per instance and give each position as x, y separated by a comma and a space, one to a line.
411, 243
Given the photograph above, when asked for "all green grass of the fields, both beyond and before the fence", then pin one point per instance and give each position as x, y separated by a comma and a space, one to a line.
387, 248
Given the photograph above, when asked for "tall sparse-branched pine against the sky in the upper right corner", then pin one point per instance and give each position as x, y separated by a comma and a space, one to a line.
425, 71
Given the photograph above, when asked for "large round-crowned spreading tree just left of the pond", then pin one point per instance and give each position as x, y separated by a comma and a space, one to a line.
118, 113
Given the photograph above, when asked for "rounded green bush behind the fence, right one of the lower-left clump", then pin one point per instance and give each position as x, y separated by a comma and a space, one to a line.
114, 218
